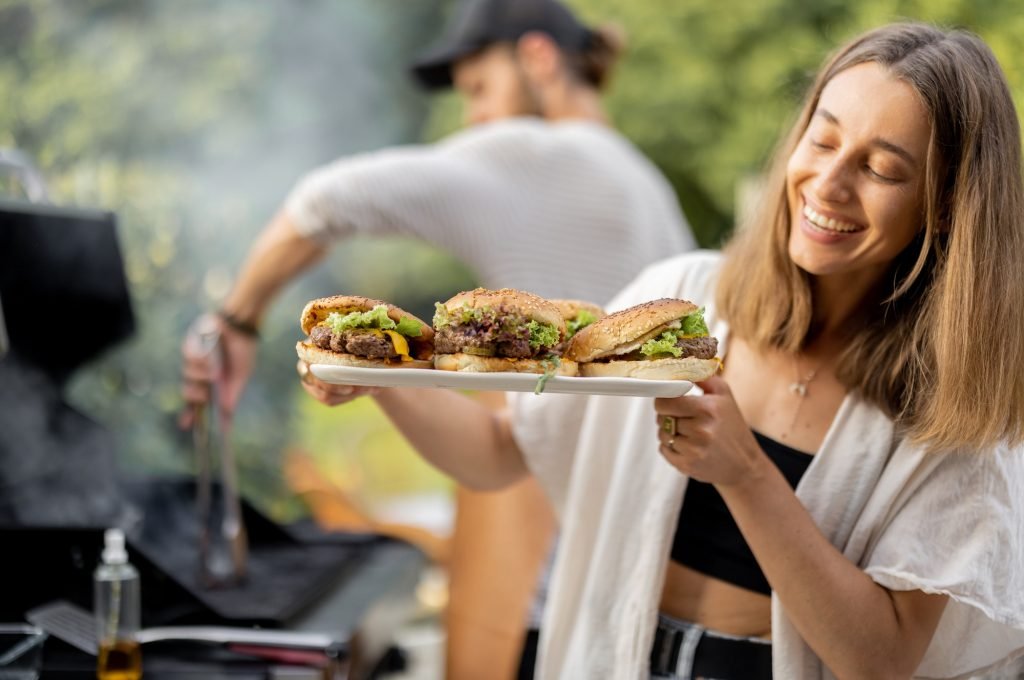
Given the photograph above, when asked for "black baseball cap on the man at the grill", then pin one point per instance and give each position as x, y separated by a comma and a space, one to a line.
482, 23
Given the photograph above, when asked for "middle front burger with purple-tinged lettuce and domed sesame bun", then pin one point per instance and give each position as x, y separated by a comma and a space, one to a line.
492, 331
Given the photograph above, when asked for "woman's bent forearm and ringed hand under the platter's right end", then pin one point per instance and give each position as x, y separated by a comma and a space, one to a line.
859, 628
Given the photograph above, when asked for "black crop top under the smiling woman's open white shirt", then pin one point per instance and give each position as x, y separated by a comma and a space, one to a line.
707, 537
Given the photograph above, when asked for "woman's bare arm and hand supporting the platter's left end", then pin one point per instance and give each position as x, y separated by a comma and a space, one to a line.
459, 436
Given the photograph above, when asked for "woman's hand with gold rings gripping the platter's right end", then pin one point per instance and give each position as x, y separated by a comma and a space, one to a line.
706, 438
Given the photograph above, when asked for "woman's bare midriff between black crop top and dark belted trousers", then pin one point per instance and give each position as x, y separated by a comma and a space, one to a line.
716, 605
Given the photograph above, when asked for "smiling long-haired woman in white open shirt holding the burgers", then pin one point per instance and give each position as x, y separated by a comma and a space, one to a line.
872, 332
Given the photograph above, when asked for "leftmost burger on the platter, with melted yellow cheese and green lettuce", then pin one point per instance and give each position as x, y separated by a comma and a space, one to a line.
349, 330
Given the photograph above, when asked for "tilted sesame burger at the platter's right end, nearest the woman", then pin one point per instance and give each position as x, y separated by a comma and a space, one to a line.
664, 339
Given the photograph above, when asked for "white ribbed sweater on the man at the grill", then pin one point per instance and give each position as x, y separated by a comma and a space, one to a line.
566, 209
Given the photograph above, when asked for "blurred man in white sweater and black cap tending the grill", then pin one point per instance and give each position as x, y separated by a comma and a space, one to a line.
540, 194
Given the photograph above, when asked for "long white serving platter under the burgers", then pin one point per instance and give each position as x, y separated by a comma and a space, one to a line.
501, 382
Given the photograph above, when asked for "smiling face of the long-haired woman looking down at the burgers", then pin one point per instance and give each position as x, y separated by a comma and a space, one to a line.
856, 182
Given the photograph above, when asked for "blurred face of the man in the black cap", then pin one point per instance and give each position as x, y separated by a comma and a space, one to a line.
493, 87
